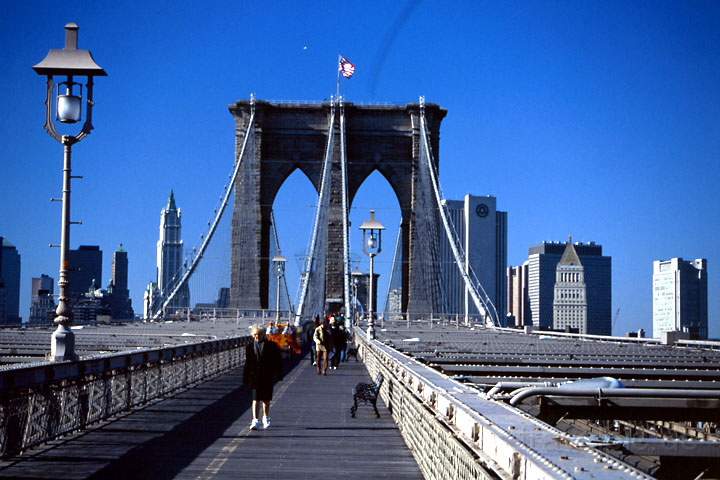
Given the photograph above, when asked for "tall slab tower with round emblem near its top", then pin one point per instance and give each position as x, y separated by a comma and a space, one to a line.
482, 230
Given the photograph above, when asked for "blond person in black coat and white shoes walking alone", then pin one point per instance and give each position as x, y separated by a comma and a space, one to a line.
263, 366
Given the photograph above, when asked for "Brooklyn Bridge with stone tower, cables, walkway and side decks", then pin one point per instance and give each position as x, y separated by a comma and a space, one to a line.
458, 395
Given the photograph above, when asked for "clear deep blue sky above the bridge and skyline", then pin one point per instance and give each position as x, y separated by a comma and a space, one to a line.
596, 119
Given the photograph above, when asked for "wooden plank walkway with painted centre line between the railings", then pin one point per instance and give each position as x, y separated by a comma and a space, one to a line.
203, 433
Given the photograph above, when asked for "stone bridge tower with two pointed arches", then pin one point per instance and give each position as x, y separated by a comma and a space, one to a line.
289, 136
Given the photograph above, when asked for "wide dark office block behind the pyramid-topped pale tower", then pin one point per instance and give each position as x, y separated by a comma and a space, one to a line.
542, 271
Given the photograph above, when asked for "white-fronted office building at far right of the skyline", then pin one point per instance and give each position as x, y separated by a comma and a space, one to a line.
680, 297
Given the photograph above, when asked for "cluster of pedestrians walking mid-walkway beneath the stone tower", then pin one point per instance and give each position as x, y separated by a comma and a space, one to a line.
329, 346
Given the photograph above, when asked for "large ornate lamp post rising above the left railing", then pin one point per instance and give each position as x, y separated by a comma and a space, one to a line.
70, 63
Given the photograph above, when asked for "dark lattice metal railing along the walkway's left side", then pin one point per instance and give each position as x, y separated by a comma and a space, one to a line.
49, 400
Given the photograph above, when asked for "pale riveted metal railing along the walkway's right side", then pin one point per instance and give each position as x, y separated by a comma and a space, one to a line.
454, 433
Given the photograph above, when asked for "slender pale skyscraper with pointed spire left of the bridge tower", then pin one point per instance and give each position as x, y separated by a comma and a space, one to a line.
170, 254
